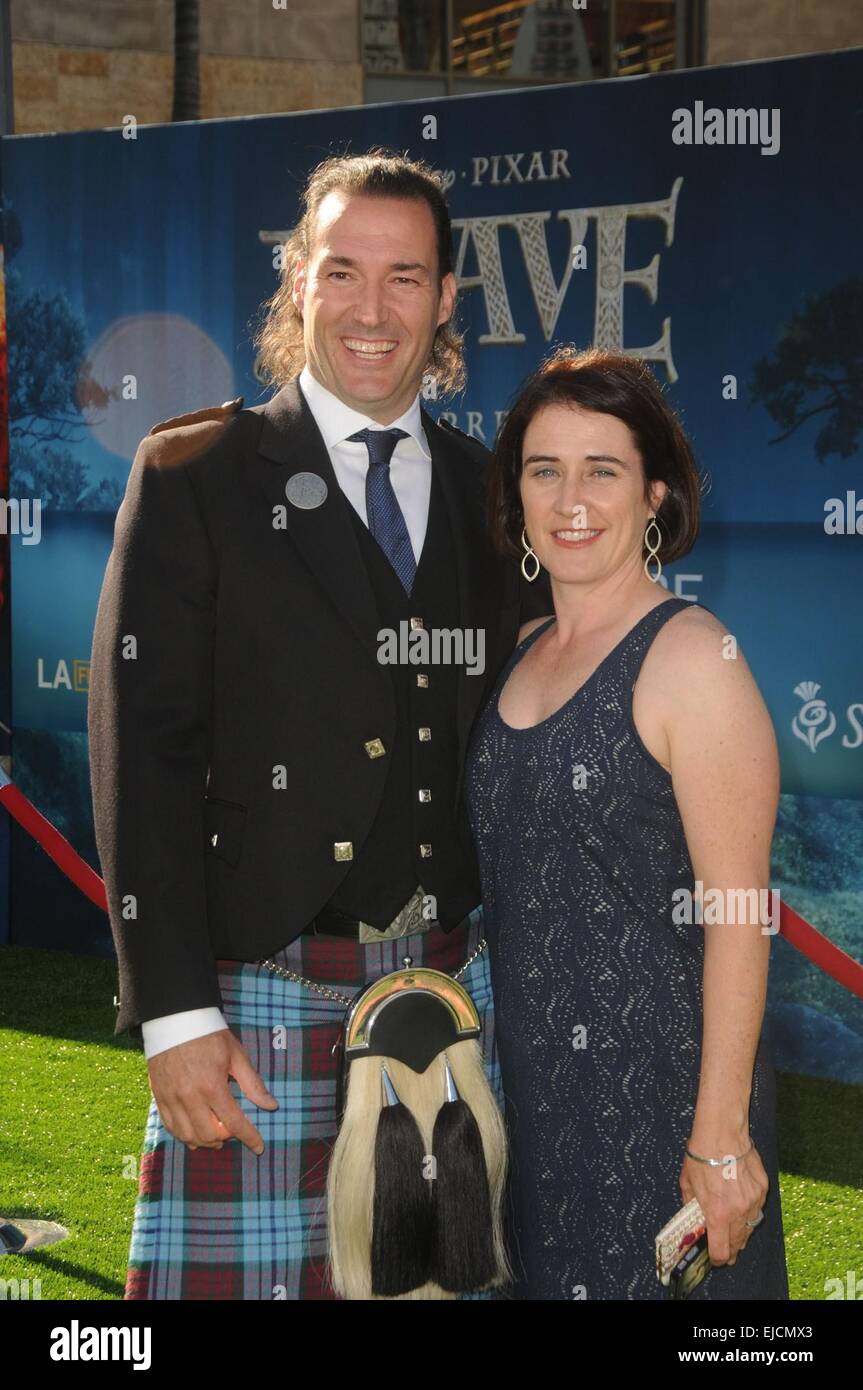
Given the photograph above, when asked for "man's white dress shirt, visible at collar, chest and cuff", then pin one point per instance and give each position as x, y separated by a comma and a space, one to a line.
411, 473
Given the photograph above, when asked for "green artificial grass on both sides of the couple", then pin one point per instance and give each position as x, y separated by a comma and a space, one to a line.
74, 1103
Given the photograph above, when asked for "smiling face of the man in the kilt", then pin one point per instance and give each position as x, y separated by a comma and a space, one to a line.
370, 301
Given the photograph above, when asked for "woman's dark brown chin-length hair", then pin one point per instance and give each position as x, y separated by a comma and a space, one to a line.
614, 384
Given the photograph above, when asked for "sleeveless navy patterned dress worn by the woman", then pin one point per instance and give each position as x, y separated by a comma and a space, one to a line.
598, 995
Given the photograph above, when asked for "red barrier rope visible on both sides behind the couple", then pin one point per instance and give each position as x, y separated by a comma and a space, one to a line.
807, 939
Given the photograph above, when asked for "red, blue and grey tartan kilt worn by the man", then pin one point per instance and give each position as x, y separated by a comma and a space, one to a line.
227, 1225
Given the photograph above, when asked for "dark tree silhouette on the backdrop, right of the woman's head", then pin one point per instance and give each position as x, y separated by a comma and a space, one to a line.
818, 370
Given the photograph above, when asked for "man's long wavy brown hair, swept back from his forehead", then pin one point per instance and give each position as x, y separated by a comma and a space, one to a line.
380, 173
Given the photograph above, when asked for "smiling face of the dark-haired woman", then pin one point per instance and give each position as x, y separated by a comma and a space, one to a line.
583, 493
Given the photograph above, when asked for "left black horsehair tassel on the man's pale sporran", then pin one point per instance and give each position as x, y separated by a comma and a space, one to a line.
404, 1210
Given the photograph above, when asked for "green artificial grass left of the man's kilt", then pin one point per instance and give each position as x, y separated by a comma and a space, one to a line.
73, 1111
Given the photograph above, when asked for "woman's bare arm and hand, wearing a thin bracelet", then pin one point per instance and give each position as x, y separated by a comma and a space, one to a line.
725, 768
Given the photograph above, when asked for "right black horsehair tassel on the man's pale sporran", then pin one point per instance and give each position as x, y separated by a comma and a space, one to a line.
465, 1253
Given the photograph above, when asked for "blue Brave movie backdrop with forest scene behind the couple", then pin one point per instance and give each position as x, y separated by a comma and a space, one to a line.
708, 220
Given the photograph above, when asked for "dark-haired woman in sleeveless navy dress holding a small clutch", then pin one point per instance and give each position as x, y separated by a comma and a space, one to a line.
623, 786
